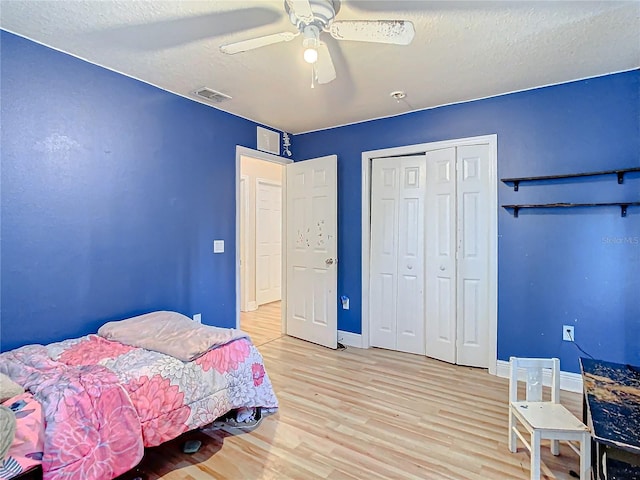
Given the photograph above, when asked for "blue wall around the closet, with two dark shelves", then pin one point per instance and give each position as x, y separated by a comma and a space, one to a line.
578, 267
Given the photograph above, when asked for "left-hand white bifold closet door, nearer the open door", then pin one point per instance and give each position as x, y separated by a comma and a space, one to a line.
397, 253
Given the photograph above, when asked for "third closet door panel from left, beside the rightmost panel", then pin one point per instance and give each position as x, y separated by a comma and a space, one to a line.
441, 244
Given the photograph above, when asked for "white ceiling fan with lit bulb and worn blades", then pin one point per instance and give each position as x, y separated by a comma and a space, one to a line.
311, 18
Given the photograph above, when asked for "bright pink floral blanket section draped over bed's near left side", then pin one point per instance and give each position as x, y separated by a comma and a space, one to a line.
89, 418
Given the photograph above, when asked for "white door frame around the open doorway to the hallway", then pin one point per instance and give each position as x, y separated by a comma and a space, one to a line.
269, 157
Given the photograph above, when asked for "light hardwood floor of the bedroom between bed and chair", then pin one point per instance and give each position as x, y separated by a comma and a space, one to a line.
366, 414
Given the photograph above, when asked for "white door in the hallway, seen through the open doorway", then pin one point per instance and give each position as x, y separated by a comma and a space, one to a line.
268, 241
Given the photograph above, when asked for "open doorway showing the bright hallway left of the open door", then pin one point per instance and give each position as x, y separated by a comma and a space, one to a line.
260, 188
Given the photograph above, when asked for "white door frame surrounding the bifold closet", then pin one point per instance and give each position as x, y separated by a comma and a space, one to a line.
367, 157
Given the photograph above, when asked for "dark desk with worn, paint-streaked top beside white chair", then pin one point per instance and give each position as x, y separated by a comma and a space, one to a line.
611, 408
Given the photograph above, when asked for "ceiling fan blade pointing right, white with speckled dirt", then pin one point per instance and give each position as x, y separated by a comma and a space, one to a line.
398, 32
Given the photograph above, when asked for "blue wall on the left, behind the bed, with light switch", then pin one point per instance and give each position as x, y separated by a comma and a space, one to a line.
112, 194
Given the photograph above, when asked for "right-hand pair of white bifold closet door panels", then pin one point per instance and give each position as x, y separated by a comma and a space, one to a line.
457, 261
